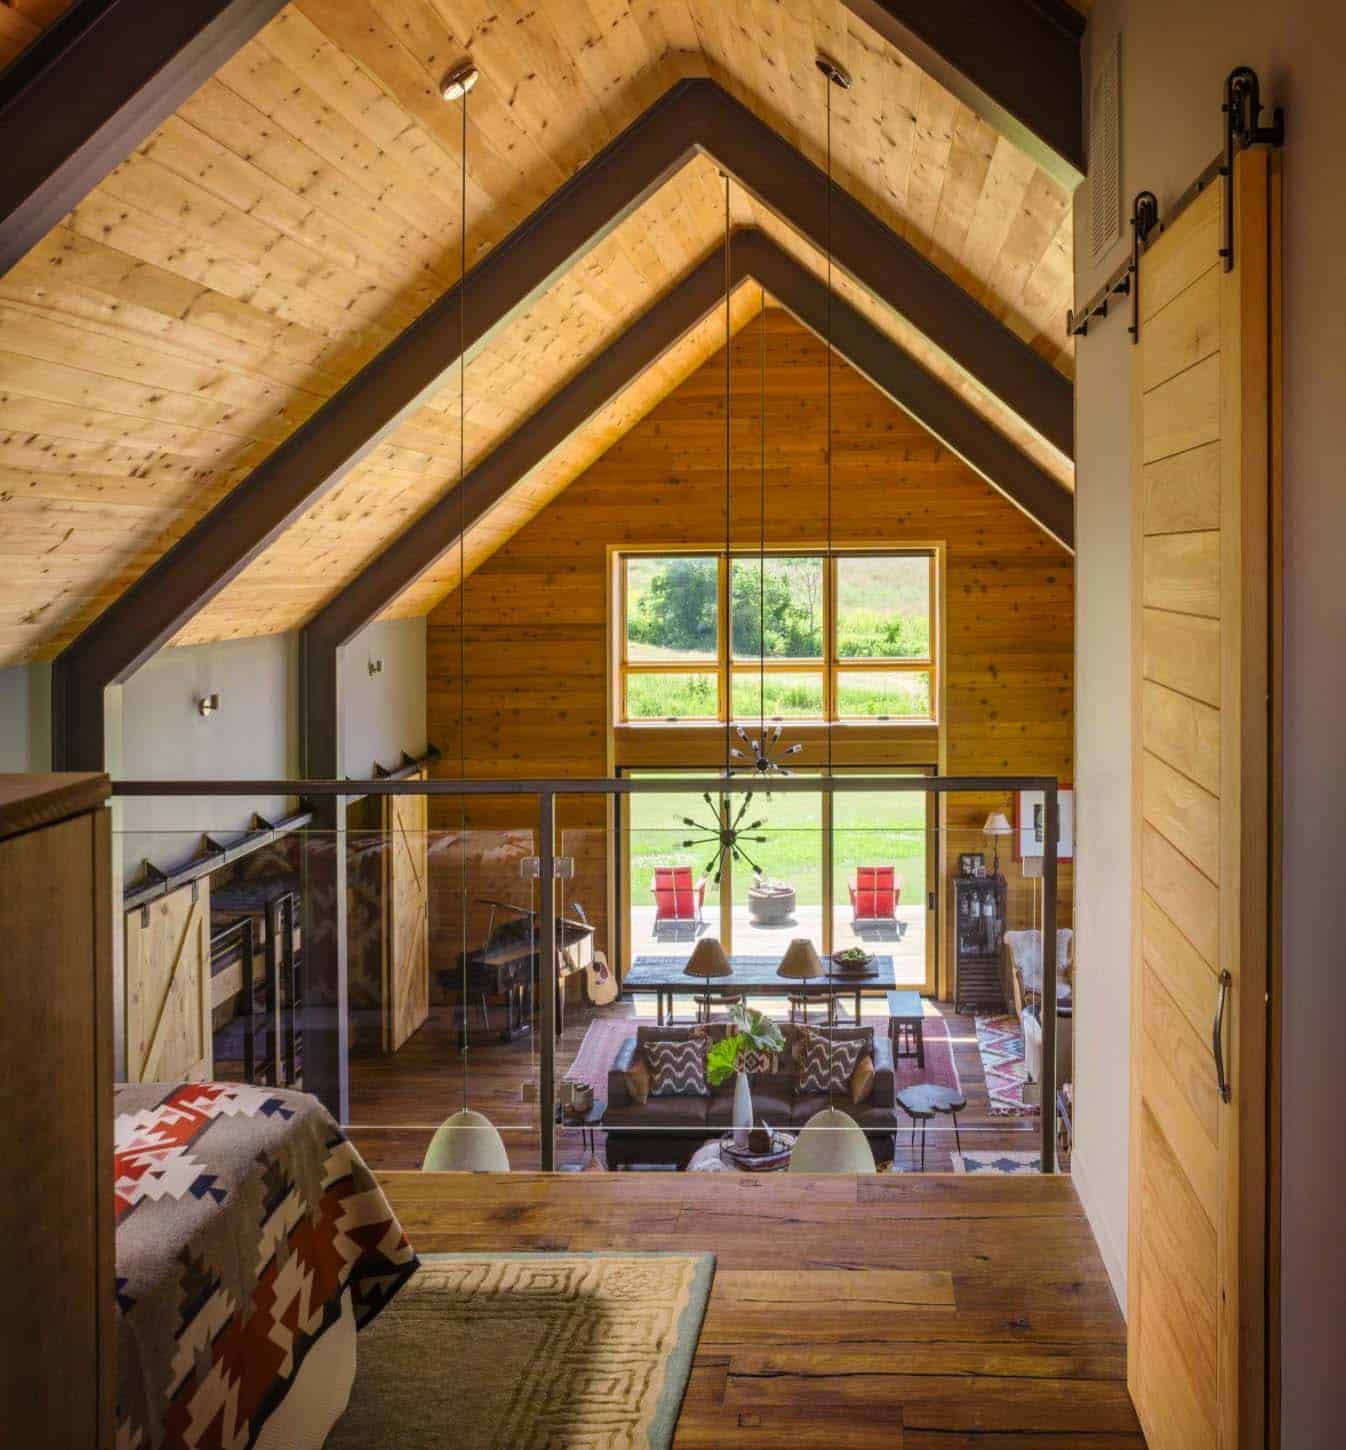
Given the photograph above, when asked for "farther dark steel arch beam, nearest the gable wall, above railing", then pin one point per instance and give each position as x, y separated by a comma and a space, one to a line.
753, 256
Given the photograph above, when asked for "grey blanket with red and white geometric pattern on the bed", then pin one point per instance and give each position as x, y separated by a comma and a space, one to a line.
243, 1216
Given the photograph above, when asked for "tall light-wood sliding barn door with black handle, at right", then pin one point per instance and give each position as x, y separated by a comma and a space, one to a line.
1203, 491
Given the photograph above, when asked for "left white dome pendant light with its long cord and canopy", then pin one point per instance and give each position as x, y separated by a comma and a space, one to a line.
468, 1142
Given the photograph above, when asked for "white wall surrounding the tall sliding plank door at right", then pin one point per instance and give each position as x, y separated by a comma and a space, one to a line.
1176, 57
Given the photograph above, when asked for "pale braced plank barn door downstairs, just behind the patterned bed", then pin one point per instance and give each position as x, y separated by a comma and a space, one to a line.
169, 1017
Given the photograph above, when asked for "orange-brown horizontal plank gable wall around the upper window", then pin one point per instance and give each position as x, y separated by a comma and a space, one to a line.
537, 610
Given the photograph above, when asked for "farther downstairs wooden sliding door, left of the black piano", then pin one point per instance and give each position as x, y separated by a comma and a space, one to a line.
407, 917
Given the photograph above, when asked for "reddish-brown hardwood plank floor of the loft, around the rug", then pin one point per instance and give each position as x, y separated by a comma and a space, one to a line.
914, 1313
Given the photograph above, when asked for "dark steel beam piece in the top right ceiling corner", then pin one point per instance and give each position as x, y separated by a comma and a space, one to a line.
1016, 63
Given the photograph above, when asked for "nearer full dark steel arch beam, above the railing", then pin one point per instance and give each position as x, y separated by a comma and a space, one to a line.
694, 117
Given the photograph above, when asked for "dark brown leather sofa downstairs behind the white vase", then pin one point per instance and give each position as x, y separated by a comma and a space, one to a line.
671, 1130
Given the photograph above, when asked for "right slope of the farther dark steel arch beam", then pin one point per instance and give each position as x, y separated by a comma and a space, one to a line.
897, 373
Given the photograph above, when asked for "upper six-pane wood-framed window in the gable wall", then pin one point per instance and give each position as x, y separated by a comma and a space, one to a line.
793, 637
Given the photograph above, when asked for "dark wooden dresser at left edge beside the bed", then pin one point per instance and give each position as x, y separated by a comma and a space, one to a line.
57, 1346
